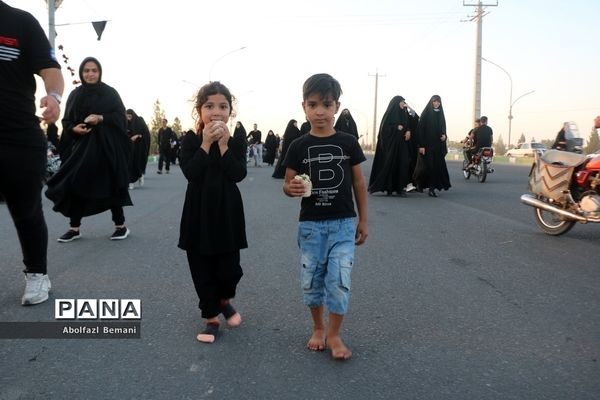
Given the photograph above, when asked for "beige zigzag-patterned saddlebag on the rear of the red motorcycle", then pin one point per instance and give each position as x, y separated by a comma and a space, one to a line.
551, 174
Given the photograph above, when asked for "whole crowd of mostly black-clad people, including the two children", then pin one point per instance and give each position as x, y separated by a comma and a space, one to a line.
104, 150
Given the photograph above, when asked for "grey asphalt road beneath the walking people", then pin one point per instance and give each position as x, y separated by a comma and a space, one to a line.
456, 297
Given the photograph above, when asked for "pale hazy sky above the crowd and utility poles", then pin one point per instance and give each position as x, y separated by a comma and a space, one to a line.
164, 49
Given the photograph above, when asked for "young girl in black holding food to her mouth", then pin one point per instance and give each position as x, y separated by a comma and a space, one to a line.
213, 229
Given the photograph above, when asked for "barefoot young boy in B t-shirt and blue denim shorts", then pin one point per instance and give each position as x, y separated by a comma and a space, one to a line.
327, 231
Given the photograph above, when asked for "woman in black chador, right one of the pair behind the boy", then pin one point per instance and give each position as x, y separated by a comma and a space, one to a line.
431, 132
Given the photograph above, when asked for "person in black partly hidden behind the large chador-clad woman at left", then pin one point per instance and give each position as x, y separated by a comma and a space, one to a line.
138, 133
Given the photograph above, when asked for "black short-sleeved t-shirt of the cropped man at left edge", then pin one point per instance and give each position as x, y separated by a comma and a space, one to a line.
24, 51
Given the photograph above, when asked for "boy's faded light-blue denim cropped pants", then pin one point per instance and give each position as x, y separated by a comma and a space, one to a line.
327, 256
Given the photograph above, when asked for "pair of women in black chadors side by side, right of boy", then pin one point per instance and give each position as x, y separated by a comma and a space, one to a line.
411, 150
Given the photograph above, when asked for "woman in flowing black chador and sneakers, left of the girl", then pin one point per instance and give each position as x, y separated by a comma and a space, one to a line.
94, 173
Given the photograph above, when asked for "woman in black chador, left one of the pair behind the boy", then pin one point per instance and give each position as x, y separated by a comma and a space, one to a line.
390, 171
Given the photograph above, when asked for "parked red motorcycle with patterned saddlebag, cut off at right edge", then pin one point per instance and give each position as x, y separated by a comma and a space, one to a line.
565, 189
